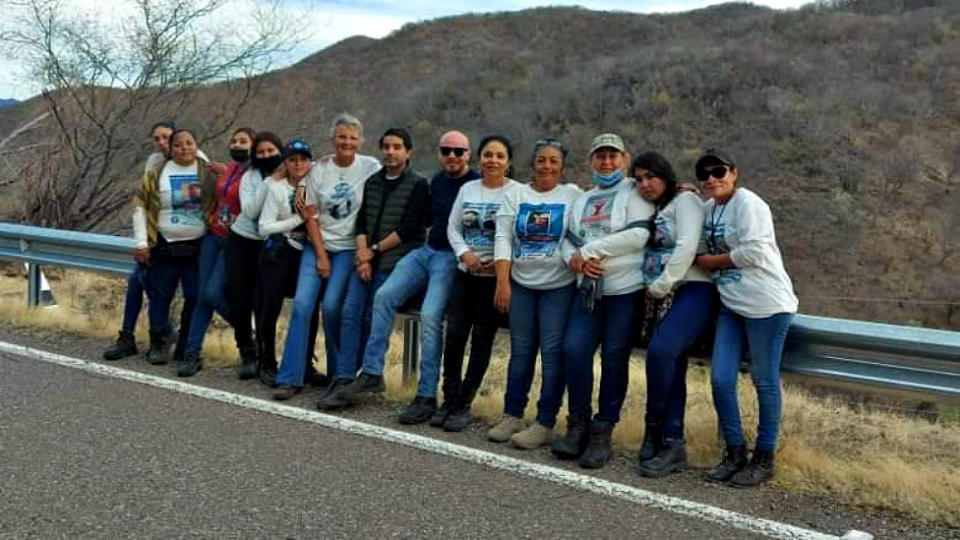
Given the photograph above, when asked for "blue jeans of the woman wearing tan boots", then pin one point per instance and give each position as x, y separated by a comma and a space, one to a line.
537, 322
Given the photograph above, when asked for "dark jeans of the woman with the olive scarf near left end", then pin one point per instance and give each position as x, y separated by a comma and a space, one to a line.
165, 273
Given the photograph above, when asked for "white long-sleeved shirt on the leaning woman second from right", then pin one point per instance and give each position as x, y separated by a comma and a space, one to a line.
668, 261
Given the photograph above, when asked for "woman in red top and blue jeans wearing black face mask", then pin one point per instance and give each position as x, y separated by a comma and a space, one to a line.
211, 271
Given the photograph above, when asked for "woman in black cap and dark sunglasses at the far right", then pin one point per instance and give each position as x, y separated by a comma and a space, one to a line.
757, 306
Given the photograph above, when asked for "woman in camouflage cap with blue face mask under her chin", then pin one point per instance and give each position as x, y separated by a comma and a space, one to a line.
609, 228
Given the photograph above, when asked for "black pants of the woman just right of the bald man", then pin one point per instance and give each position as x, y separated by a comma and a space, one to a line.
470, 308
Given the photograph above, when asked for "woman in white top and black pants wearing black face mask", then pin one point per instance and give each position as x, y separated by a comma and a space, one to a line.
244, 243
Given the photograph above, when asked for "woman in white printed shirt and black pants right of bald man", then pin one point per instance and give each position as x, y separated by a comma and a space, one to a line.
470, 313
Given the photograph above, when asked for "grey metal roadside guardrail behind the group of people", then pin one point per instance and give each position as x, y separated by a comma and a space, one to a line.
880, 355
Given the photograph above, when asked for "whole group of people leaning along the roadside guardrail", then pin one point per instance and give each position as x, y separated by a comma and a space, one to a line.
352, 239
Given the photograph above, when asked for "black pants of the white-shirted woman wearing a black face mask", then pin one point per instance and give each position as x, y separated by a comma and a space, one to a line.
242, 261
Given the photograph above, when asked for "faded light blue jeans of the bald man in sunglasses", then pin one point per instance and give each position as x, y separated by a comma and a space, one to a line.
422, 268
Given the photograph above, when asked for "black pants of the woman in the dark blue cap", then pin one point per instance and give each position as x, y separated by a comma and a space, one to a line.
278, 269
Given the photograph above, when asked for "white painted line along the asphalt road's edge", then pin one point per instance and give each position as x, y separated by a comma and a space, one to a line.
584, 482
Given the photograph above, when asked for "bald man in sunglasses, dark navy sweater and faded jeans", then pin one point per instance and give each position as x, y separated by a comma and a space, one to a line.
429, 268
